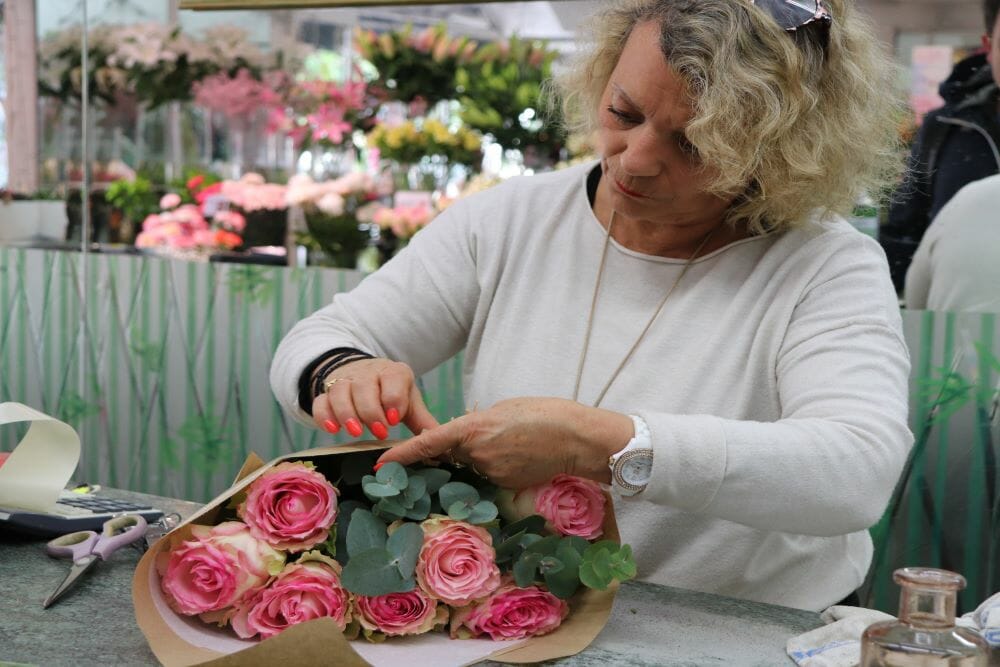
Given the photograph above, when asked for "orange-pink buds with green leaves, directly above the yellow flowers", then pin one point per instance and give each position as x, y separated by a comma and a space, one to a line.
416, 69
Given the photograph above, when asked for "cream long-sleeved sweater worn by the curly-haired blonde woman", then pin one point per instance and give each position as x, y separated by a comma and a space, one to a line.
774, 382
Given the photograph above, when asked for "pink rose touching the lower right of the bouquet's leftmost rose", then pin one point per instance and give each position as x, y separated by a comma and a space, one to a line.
308, 588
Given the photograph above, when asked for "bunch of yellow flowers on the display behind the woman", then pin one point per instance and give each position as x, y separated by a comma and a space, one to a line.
421, 153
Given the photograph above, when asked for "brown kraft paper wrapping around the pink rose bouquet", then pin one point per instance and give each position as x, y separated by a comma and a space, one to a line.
179, 641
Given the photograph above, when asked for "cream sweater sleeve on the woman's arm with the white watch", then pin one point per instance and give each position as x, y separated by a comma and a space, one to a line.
828, 465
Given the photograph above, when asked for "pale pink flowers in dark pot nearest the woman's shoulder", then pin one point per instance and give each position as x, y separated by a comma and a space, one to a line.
331, 210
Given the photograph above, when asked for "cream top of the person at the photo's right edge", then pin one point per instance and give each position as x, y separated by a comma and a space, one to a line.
957, 265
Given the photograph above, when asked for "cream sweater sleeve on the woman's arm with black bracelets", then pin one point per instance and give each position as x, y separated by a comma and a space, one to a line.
417, 309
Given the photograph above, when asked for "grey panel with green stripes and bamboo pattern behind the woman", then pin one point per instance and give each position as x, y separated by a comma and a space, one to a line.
165, 375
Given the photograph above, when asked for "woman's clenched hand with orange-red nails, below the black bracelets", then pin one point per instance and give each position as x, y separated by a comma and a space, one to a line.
376, 393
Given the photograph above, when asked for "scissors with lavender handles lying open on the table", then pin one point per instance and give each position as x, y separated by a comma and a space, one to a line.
85, 547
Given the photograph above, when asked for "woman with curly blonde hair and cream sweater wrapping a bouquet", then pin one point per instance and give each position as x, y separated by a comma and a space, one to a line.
687, 319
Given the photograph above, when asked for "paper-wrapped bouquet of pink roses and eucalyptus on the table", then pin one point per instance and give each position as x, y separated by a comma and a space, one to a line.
321, 541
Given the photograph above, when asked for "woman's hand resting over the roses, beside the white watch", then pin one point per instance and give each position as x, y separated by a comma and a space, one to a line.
524, 441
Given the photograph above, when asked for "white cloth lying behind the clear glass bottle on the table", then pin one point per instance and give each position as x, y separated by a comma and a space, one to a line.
838, 644
